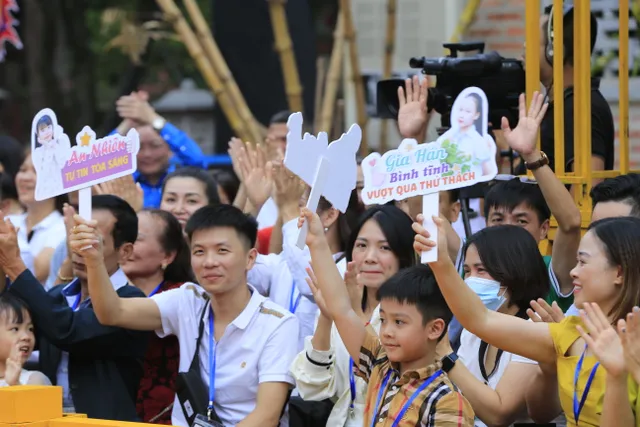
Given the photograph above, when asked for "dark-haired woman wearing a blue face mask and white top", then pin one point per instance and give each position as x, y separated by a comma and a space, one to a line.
503, 265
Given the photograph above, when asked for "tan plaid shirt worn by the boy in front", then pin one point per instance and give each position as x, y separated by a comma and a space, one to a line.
438, 405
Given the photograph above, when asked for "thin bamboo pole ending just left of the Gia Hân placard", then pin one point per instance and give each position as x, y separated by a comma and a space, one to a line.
350, 37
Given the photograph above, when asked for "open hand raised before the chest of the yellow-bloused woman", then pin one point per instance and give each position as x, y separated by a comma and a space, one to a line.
602, 339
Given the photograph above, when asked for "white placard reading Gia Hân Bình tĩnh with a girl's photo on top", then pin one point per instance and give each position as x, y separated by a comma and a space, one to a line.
463, 156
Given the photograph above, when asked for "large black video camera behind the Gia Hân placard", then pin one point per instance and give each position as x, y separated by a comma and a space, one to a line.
501, 79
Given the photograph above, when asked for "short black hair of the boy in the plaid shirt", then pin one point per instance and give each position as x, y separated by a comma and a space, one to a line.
417, 286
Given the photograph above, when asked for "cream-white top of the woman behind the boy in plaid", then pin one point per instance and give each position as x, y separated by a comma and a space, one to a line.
324, 375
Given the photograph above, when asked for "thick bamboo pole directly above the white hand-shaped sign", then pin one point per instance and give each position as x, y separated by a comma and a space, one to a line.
284, 47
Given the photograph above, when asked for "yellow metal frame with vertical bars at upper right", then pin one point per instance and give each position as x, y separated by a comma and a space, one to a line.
582, 175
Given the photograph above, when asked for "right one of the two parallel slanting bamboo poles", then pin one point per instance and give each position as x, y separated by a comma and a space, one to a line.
212, 51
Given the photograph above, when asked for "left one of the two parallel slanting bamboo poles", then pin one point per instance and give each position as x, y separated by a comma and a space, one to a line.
174, 16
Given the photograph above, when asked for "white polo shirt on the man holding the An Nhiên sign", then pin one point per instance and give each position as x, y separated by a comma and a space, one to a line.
255, 348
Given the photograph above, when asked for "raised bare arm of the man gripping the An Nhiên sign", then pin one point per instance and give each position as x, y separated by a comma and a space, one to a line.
131, 313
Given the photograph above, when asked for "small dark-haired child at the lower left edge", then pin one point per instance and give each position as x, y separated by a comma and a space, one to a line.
17, 340
